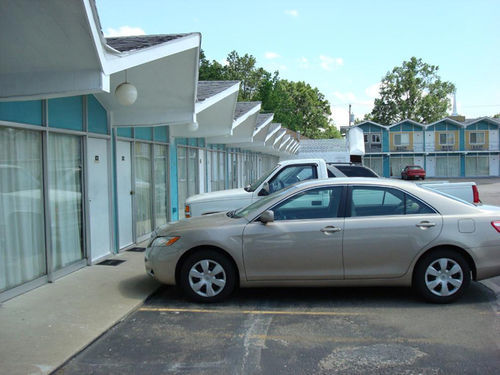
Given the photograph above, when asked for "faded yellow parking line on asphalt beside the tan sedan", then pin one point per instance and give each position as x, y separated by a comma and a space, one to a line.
257, 312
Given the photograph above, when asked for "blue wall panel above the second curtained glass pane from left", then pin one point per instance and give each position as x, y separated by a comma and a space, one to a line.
66, 113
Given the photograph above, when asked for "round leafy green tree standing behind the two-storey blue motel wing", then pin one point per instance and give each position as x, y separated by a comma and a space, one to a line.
412, 91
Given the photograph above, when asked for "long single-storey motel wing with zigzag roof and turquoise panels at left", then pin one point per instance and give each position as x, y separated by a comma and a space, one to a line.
88, 170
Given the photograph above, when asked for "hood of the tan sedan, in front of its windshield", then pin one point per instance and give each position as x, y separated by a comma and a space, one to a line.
200, 222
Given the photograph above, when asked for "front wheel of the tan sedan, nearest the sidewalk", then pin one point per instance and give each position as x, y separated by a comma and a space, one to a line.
207, 276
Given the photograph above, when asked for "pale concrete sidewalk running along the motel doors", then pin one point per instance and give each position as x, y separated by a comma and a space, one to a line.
43, 328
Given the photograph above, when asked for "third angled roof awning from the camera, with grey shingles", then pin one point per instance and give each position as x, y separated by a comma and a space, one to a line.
245, 119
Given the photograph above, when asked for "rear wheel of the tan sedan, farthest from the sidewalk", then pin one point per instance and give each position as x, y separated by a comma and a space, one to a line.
442, 276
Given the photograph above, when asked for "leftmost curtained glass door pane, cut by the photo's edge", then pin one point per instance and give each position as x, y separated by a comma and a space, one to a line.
22, 239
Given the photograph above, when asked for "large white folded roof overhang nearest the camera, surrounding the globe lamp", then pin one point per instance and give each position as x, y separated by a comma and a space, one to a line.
62, 52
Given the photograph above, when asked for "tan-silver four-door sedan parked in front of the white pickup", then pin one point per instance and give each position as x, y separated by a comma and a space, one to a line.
336, 232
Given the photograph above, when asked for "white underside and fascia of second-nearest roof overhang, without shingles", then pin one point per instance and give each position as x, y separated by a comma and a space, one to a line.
214, 115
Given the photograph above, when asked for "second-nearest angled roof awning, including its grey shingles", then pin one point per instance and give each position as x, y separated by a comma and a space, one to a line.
215, 106
